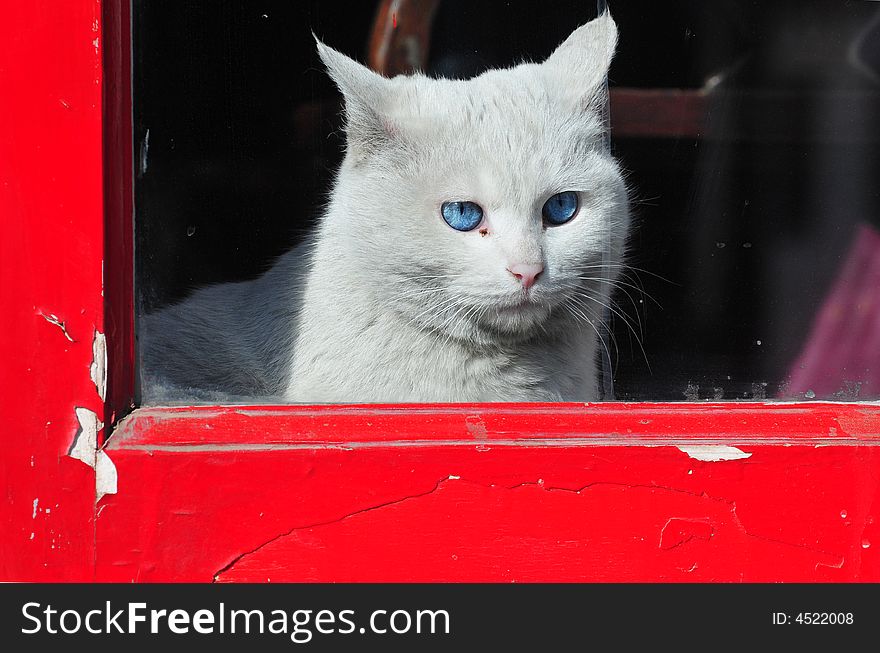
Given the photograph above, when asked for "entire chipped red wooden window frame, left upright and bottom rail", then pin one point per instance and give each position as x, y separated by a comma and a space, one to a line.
513, 492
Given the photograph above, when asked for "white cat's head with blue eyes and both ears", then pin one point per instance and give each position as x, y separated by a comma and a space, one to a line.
485, 205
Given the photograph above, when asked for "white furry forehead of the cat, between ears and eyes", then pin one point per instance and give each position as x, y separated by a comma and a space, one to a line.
503, 139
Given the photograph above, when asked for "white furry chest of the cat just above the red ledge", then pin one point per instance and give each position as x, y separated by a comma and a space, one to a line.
379, 360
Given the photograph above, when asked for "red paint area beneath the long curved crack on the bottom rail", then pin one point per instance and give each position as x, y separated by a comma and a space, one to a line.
531, 535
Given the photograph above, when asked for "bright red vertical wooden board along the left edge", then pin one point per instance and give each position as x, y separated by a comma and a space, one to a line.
51, 248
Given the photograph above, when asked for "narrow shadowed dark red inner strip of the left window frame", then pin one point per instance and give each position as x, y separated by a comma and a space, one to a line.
119, 213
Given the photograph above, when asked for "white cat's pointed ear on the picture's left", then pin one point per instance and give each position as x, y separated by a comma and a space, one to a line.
366, 93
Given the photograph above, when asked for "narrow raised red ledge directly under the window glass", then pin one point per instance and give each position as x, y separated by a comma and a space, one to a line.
229, 427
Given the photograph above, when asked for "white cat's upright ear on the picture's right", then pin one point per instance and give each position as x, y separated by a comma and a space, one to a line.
580, 65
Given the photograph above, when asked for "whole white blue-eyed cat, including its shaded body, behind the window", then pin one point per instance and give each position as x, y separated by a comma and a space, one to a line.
470, 244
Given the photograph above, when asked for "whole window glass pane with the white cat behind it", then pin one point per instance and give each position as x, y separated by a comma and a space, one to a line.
747, 135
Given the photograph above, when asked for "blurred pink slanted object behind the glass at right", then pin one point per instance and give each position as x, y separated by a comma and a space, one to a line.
841, 357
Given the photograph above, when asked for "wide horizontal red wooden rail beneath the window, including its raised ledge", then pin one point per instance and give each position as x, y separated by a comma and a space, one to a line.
483, 493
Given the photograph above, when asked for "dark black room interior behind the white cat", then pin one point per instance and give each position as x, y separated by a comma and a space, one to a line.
741, 230
